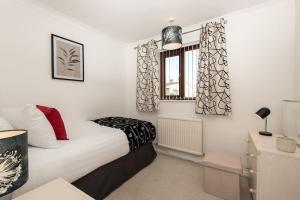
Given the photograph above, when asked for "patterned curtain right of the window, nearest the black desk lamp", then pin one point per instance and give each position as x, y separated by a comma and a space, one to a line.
213, 90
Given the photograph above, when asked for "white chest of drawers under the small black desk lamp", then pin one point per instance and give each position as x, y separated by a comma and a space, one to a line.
274, 175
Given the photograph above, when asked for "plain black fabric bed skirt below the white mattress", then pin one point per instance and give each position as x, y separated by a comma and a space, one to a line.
102, 181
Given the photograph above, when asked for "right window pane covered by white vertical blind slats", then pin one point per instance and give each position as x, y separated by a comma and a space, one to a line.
190, 72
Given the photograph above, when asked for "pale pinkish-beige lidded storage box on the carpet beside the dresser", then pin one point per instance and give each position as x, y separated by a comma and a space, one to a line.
222, 175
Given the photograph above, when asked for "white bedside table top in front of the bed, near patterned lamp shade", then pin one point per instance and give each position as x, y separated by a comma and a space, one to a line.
59, 189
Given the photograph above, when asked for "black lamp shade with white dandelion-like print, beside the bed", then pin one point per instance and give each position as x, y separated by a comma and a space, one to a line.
13, 160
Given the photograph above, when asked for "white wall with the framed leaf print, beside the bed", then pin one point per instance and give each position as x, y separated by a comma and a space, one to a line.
25, 63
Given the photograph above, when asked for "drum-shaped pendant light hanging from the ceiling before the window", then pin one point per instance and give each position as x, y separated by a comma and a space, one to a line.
171, 37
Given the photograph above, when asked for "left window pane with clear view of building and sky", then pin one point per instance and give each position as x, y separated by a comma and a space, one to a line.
172, 75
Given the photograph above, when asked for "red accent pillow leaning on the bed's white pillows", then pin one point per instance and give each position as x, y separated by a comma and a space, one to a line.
56, 121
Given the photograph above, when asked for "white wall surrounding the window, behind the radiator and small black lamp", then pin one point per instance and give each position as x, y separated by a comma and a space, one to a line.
260, 44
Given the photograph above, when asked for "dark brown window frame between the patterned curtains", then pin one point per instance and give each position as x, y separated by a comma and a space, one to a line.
166, 54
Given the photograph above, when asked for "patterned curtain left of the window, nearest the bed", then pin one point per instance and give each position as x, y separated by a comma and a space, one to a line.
147, 87
